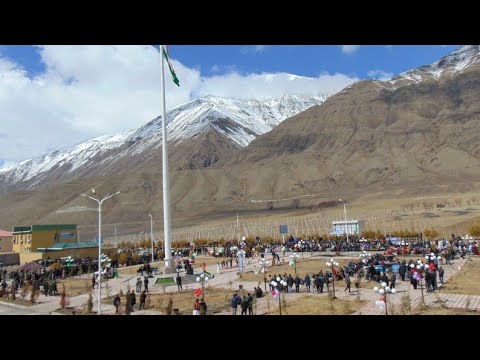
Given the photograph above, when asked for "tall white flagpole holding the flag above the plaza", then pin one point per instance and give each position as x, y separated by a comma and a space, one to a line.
166, 188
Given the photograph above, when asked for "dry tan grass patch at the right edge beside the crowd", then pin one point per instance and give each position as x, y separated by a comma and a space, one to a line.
465, 281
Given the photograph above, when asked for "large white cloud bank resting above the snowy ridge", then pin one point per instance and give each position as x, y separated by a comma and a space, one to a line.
88, 91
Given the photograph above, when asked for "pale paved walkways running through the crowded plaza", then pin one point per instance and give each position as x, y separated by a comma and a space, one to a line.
228, 278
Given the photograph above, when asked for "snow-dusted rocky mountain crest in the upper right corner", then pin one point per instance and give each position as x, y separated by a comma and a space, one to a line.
453, 63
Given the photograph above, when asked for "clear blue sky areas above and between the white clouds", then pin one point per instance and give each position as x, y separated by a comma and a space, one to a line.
304, 60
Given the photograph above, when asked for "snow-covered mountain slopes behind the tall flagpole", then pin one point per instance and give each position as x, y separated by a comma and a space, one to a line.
240, 121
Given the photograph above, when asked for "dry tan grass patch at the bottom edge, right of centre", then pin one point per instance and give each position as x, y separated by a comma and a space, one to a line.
315, 305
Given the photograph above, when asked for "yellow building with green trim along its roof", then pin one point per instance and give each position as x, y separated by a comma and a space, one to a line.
28, 239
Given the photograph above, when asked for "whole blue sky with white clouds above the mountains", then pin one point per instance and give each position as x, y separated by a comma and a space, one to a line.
54, 96
